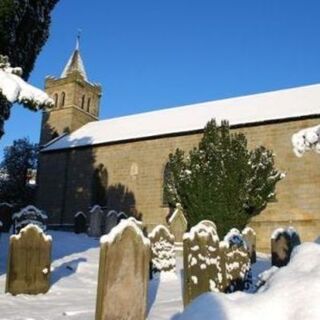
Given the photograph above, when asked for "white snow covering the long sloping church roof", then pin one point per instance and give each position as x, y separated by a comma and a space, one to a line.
275, 105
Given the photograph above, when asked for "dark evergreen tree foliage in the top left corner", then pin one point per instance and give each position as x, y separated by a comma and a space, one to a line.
24, 29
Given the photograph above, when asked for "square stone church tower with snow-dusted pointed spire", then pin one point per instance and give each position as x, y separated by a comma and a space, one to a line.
76, 100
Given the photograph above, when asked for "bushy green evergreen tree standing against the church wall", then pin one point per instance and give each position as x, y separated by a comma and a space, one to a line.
221, 180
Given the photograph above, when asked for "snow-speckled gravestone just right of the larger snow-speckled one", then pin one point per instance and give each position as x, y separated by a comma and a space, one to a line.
237, 261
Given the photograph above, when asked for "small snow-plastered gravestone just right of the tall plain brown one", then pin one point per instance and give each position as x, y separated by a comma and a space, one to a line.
162, 250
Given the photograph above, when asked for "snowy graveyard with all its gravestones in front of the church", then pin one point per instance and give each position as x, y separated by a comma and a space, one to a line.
125, 273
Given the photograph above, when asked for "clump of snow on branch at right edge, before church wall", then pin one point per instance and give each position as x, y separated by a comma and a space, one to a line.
305, 140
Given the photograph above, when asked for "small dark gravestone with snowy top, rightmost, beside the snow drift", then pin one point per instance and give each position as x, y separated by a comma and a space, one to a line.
282, 243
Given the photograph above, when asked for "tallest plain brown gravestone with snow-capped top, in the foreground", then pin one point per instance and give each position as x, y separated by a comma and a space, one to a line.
123, 273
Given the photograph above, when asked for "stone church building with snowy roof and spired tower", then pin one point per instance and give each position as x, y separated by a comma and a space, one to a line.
120, 163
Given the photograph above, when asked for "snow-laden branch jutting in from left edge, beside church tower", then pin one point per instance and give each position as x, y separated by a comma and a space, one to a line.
15, 89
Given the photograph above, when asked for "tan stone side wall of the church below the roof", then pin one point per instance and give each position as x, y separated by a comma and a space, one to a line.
138, 168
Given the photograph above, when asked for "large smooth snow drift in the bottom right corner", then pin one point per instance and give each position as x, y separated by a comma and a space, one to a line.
290, 293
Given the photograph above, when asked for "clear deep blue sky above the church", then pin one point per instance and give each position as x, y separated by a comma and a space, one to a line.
149, 55
